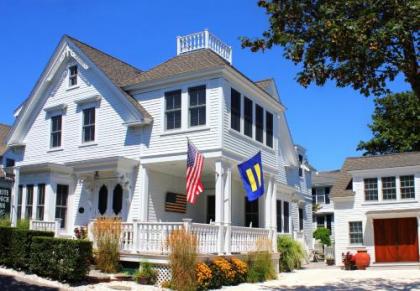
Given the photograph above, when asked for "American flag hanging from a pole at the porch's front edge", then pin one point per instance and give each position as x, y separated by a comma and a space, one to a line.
195, 161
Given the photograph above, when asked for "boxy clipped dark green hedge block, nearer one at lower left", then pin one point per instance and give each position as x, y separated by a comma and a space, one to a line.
60, 259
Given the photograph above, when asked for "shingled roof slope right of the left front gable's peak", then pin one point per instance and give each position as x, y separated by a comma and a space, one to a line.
116, 70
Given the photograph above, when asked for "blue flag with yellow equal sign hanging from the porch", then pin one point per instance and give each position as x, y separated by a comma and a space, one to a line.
252, 177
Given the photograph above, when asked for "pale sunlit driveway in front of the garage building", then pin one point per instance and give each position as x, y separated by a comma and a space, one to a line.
336, 279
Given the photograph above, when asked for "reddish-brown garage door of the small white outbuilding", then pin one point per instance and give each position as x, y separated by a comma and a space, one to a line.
396, 240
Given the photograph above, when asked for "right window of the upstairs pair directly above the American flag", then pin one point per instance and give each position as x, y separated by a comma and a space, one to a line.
197, 105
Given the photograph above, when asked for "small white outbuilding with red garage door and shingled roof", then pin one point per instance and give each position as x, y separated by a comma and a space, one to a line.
377, 207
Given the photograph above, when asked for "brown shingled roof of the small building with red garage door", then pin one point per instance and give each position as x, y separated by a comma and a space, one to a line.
341, 187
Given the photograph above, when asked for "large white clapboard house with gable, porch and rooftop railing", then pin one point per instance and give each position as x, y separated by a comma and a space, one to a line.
100, 137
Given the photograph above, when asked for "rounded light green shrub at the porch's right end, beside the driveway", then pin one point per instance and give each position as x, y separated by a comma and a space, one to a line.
291, 253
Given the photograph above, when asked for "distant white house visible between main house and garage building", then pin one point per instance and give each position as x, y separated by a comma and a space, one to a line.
322, 183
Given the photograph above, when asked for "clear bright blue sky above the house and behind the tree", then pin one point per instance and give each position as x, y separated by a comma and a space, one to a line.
328, 121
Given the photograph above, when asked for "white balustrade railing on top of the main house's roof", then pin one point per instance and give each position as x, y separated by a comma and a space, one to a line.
201, 40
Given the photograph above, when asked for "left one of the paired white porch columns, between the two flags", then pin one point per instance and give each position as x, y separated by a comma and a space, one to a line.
220, 207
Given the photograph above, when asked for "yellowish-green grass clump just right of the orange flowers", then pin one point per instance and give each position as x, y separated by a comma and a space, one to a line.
260, 267
